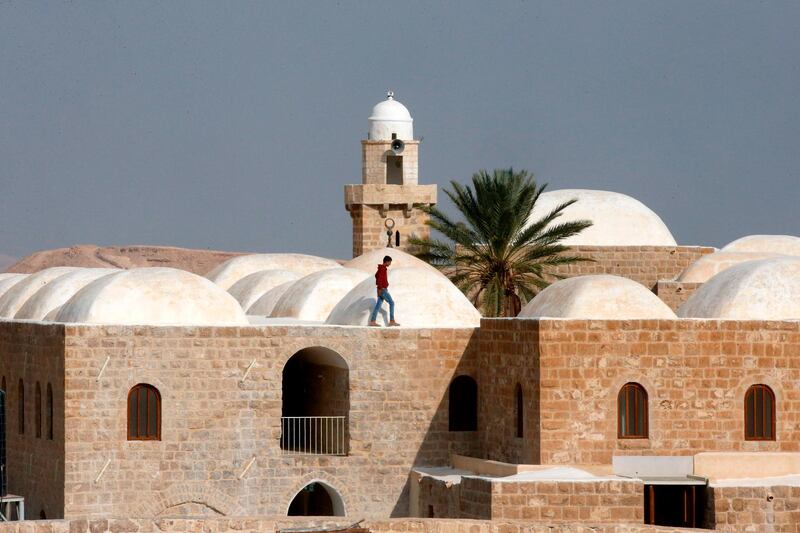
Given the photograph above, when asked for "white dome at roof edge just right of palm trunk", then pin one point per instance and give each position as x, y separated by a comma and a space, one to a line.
600, 297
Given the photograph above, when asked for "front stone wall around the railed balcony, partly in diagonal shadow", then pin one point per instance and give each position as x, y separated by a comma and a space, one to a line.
214, 422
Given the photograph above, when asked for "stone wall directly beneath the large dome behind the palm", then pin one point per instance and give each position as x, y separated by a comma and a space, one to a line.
645, 264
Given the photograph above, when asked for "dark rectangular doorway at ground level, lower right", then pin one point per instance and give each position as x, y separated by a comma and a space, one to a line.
674, 505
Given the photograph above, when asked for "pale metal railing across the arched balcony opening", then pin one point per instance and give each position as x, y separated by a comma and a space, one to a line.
316, 435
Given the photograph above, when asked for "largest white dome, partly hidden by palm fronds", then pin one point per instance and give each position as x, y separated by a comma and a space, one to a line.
617, 219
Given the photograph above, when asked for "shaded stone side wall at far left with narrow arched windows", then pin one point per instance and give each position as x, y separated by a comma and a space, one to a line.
34, 354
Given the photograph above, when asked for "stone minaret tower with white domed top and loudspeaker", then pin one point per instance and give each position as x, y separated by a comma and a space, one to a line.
389, 190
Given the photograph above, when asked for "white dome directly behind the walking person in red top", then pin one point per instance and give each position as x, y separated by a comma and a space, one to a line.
423, 299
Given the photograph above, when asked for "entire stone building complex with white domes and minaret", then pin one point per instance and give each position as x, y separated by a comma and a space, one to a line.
618, 397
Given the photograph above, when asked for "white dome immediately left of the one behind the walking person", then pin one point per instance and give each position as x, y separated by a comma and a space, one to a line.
314, 296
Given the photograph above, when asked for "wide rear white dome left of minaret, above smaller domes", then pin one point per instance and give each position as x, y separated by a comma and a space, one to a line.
232, 270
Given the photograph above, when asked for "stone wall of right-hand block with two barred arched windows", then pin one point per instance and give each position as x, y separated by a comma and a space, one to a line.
695, 372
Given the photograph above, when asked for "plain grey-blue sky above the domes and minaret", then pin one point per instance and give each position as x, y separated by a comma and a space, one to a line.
236, 125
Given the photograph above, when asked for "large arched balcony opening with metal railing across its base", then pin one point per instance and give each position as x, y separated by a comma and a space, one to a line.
316, 403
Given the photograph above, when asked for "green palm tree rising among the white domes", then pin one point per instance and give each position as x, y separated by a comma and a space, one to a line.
496, 257
